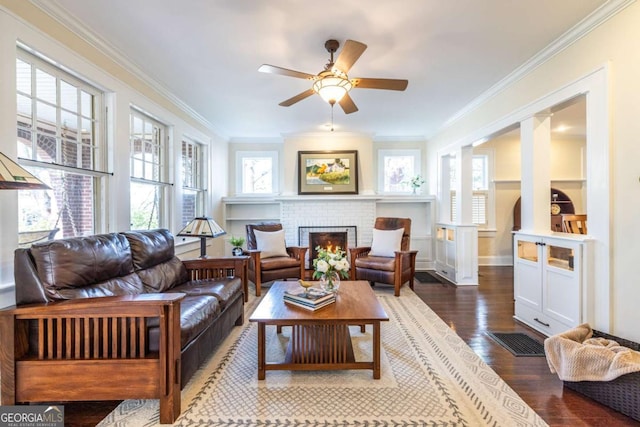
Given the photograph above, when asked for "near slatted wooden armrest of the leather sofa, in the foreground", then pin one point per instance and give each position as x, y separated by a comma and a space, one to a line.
86, 348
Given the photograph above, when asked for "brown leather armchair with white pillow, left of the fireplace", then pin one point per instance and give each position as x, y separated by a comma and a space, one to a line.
270, 258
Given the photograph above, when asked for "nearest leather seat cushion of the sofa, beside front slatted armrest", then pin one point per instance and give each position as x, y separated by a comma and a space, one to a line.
196, 314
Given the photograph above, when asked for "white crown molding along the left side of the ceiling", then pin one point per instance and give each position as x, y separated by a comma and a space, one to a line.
51, 8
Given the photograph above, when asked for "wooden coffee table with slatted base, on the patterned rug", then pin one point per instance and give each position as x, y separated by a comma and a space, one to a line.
320, 339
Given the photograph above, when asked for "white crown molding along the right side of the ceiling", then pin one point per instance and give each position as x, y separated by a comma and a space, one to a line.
578, 31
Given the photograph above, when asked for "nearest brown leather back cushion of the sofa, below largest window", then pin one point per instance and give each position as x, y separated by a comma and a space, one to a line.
78, 262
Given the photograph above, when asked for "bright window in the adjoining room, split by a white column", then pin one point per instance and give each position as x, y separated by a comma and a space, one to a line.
481, 196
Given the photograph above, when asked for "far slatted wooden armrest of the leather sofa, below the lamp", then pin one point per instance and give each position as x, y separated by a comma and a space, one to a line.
220, 267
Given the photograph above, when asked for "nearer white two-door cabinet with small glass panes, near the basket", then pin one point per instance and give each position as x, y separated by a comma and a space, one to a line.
549, 280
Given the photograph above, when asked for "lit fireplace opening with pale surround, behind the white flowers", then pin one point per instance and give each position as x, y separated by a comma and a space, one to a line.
324, 236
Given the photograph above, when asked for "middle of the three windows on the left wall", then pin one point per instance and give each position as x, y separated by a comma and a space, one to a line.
149, 187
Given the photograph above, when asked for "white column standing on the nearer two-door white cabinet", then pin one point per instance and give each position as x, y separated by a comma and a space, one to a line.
535, 137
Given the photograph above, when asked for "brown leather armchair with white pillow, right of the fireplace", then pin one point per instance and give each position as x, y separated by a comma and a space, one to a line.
388, 259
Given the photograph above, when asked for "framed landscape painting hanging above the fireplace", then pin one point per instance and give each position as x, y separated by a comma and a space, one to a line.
328, 172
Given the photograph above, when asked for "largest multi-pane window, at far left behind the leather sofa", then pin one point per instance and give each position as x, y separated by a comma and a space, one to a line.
59, 140
